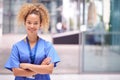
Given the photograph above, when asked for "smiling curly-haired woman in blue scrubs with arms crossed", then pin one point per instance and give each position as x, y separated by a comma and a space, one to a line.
32, 58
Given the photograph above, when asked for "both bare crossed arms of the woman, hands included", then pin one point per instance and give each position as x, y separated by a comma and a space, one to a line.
27, 69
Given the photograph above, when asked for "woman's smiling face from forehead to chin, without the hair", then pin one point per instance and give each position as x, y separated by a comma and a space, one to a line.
32, 24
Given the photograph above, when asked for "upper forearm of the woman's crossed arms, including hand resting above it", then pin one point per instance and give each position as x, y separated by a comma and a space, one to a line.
44, 68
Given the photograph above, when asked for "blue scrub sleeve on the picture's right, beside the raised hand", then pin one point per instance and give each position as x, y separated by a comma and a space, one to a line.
51, 52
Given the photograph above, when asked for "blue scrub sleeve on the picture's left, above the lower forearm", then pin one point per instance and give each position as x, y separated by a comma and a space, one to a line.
13, 60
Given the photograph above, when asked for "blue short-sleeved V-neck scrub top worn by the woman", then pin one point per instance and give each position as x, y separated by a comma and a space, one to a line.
20, 54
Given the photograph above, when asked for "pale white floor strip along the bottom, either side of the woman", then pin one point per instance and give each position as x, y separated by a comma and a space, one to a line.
73, 77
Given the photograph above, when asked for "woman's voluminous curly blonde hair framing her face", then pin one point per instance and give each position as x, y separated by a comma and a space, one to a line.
35, 8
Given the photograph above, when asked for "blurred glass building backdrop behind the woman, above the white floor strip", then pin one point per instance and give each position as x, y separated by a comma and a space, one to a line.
85, 33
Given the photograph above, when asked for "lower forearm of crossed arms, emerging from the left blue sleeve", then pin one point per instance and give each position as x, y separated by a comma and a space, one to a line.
22, 72
